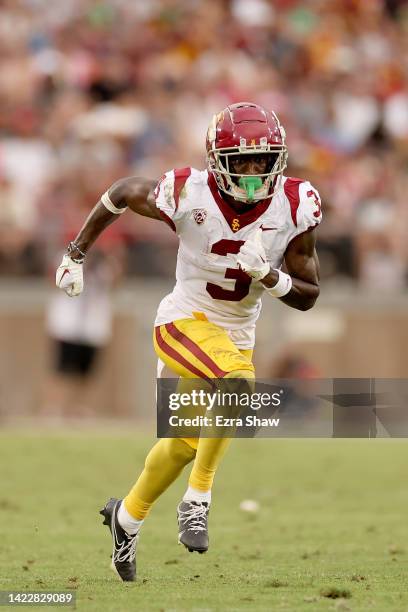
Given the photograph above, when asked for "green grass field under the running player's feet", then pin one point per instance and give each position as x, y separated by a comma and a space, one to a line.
332, 522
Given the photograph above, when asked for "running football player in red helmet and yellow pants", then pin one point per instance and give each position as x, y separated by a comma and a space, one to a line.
245, 231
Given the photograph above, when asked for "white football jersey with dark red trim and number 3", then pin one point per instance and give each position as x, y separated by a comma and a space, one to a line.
209, 230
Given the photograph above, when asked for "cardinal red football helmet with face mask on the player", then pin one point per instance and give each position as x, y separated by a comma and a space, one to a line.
246, 129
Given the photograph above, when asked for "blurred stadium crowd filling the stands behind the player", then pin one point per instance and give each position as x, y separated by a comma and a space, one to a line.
91, 90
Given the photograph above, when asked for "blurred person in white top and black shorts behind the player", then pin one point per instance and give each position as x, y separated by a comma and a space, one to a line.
79, 330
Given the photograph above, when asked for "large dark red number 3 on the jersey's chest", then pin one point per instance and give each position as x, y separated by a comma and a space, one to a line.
242, 280
